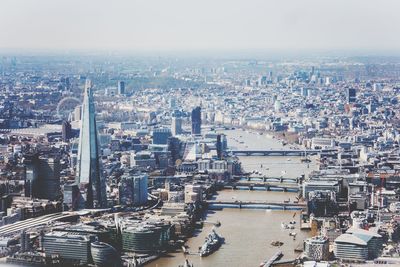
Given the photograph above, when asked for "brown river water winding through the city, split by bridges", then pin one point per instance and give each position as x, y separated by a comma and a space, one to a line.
248, 233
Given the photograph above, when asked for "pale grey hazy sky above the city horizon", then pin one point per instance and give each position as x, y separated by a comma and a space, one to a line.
200, 25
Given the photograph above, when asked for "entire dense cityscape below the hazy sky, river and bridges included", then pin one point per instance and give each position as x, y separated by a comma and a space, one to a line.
110, 162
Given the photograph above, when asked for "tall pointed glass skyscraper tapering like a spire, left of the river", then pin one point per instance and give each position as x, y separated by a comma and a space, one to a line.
89, 177
